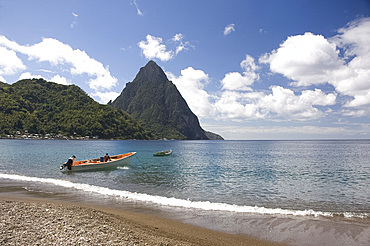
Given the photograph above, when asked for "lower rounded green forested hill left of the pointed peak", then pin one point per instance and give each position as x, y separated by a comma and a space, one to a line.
41, 107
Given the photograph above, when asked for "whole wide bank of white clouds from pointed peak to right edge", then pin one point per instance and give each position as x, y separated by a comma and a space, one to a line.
310, 62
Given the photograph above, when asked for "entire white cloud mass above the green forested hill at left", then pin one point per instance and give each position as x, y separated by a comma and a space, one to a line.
58, 58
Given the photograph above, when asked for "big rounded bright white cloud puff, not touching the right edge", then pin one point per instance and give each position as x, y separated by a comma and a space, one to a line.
307, 59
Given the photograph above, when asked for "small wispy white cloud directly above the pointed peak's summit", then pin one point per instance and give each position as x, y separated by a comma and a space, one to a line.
154, 47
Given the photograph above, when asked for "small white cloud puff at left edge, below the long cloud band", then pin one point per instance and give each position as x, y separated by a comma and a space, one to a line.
9, 62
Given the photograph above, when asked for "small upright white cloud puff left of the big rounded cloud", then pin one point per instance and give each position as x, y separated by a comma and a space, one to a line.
237, 81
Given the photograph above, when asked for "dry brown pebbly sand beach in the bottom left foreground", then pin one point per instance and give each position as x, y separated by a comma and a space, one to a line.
31, 221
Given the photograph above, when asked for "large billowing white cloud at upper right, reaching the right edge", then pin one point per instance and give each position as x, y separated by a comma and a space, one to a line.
341, 61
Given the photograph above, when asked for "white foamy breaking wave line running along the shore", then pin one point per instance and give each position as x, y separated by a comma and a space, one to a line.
176, 202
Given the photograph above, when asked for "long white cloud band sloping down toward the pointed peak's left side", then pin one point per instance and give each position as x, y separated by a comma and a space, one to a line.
58, 54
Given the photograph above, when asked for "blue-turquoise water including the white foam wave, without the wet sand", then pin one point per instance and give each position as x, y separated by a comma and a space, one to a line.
329, 179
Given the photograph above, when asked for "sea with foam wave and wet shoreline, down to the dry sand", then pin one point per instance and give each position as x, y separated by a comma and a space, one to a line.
294, 192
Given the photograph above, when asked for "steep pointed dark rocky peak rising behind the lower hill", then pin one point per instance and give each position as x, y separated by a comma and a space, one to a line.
157, 104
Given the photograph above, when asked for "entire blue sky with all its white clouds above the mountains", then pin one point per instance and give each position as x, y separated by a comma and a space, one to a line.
250, 70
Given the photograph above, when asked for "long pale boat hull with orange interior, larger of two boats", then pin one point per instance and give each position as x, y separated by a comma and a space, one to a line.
96, 165
